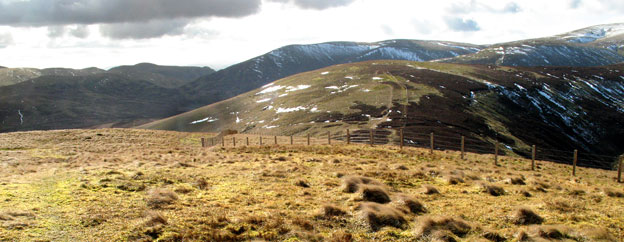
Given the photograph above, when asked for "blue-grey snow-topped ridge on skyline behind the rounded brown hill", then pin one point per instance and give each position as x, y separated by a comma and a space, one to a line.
295, 59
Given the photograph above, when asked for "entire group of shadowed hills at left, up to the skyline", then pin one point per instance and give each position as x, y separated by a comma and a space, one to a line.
57, 98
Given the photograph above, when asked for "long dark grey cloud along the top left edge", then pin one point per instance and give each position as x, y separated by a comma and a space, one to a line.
63, 12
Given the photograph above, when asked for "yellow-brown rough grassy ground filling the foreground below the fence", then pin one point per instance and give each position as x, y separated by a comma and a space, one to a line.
94, 185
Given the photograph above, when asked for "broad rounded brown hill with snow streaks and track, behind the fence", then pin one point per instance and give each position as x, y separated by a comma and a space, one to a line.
557, 108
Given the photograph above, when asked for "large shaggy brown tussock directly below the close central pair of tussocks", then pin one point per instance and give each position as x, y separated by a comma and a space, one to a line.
376, 216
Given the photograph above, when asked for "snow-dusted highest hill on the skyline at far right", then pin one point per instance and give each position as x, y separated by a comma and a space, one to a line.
593, 46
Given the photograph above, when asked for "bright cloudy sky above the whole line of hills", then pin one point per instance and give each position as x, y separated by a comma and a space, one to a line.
219, 33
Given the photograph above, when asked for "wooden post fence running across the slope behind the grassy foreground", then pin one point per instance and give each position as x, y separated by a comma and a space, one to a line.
432, 141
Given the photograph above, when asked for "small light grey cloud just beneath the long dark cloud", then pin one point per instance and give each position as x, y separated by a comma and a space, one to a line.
145, 30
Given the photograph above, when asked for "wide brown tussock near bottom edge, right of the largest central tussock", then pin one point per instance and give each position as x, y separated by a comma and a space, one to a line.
428, 225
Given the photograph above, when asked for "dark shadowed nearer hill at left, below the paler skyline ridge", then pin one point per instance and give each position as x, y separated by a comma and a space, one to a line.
58, 102
